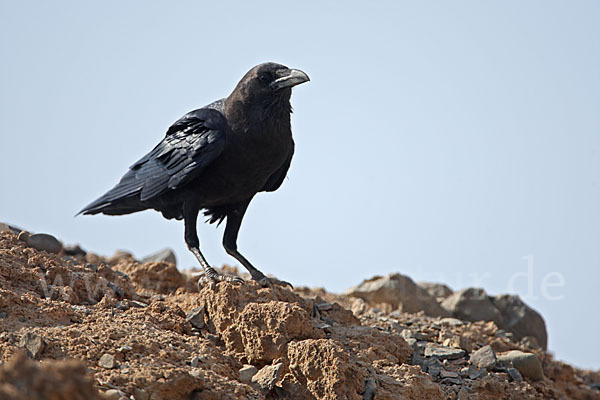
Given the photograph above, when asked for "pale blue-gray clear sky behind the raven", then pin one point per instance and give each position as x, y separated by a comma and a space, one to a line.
456, 142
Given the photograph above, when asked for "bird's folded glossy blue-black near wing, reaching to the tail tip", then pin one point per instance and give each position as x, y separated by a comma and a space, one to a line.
190, 144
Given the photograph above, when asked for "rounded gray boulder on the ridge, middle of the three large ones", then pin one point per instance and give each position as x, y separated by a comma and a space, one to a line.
472, 304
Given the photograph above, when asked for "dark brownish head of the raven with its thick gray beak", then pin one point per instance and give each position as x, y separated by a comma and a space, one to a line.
266, 83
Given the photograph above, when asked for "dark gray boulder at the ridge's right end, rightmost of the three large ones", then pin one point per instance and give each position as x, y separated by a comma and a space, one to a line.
521, 319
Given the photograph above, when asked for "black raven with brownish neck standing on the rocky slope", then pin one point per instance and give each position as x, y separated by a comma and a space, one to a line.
216, 159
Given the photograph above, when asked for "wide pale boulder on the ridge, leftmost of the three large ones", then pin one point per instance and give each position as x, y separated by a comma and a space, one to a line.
398, 291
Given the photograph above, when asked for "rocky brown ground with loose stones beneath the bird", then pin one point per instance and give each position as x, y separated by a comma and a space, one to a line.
74, 325
